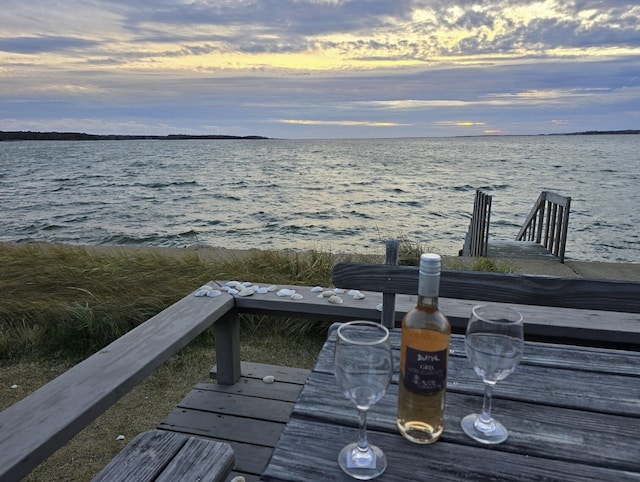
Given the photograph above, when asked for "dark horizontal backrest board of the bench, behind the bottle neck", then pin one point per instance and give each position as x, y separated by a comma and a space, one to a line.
549, 291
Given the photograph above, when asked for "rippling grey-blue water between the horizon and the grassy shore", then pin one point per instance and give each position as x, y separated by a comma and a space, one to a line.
338, 195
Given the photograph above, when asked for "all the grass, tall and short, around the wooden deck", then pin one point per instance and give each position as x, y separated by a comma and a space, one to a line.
59, 304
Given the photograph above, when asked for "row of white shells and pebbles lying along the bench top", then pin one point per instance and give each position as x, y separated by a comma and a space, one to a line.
247, 289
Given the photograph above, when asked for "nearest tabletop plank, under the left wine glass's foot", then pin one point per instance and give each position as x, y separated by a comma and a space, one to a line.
307, 446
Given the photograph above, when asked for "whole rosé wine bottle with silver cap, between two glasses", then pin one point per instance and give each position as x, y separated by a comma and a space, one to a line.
423, 360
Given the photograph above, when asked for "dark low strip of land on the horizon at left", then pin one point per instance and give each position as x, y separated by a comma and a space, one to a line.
80, 136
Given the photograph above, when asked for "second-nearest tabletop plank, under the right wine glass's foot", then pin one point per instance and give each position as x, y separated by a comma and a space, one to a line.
536, 427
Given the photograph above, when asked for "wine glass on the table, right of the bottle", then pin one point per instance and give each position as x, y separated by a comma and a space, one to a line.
494, 343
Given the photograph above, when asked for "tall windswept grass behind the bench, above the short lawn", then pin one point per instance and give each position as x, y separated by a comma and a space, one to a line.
68, 302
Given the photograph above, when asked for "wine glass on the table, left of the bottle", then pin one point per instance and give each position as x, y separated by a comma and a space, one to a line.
363, 367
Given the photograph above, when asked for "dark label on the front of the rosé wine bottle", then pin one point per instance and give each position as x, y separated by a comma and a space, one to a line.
425, 371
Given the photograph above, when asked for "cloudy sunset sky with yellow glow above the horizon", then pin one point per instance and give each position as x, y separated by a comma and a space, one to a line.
320, 68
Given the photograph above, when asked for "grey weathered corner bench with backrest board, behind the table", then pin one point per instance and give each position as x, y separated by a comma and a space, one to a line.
582, 311
